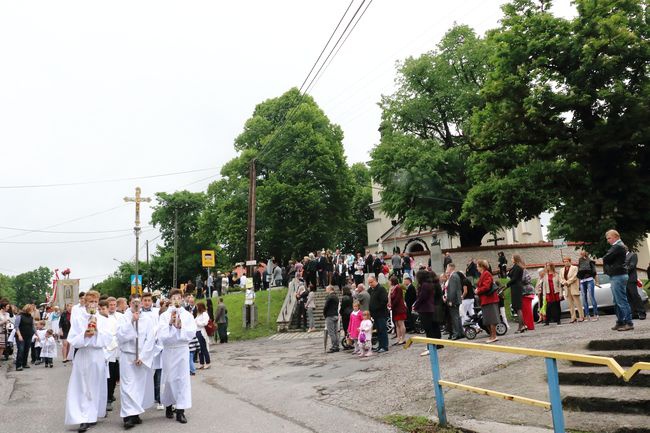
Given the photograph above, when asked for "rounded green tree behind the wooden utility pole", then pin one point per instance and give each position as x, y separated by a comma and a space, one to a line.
303, 181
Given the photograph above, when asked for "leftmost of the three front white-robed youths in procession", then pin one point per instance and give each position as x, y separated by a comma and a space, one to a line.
87, 390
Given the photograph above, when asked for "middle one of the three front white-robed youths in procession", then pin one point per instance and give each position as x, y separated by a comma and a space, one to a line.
135, 334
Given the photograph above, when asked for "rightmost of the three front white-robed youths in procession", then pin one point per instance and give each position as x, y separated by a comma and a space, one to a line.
176, 329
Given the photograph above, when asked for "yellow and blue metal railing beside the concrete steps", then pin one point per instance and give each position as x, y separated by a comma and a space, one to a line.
550, 357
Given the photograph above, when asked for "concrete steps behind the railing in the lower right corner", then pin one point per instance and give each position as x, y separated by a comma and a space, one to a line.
595, 390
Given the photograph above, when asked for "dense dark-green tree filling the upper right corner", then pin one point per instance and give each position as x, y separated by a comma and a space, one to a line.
565, 123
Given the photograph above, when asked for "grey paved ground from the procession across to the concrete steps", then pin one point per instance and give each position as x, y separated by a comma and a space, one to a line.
287, 384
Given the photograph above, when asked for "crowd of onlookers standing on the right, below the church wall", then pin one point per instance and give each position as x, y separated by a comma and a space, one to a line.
446, 303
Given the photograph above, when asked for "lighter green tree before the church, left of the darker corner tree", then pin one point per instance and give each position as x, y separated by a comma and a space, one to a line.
421, 161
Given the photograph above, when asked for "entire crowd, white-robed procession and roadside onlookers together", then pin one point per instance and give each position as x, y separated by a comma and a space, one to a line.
152, 345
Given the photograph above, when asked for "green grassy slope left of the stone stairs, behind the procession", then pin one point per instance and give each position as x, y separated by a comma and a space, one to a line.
235, 302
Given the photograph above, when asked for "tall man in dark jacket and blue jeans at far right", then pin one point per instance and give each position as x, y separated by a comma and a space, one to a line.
614, 264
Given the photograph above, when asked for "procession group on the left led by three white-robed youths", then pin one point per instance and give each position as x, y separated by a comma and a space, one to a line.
148, 345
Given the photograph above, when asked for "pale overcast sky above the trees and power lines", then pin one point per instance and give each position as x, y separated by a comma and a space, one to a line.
104, 90
